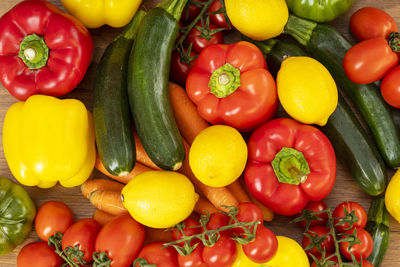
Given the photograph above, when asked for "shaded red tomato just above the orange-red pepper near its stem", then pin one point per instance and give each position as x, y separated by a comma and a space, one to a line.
199, 42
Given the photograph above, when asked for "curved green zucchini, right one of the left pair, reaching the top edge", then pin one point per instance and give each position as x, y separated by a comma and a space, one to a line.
148, 76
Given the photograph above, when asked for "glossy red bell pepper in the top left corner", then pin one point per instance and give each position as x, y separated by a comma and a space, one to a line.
42, 50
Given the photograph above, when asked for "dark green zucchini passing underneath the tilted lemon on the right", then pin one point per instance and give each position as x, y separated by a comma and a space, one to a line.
353, 147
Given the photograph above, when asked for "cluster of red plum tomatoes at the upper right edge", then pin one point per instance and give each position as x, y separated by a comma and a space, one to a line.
376, 56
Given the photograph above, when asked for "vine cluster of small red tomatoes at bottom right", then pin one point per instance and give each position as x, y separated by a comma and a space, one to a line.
346, 228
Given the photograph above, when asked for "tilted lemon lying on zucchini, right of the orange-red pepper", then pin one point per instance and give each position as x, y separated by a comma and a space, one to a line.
306, 90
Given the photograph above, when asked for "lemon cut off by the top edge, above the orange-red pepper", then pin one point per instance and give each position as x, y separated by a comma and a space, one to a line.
258, 19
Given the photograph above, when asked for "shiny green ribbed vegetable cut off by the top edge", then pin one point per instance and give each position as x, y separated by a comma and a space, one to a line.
319, 10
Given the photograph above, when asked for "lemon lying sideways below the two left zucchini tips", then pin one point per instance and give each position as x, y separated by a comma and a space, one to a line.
159, 199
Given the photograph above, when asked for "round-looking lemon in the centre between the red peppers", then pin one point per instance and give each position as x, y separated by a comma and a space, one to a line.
218, 155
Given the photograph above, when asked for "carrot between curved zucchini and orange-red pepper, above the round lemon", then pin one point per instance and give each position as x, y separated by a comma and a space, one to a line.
189, 122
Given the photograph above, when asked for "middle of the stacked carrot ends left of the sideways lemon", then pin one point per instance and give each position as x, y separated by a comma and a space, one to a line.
108, 201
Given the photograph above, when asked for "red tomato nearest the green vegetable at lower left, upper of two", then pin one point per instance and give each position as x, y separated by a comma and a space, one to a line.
53, 217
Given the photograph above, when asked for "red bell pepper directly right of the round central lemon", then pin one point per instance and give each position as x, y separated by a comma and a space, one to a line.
289, 164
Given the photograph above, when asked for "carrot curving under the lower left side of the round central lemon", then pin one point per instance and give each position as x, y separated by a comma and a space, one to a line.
218, 196
